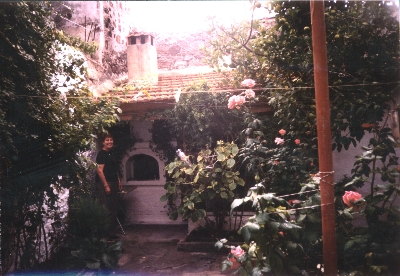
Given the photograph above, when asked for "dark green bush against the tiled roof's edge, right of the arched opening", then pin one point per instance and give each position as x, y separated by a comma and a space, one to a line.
200, 119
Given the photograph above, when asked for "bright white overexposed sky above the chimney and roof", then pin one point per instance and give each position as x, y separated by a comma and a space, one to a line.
184, 16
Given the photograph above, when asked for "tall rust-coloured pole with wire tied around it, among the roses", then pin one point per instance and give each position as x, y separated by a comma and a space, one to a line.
324, 138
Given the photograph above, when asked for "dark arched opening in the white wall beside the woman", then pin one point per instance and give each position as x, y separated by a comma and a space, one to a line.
142, 167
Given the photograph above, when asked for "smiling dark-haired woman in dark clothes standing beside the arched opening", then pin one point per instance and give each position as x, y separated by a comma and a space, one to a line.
108, 180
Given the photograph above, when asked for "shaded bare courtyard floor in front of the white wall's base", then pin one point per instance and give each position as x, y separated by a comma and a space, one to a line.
152, 250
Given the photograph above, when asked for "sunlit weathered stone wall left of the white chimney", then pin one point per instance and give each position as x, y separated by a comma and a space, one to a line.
102, 22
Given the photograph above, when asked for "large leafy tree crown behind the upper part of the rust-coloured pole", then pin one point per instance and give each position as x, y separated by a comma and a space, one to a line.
362, 56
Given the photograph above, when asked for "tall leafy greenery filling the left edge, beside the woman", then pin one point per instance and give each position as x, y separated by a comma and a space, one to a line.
48, 118
